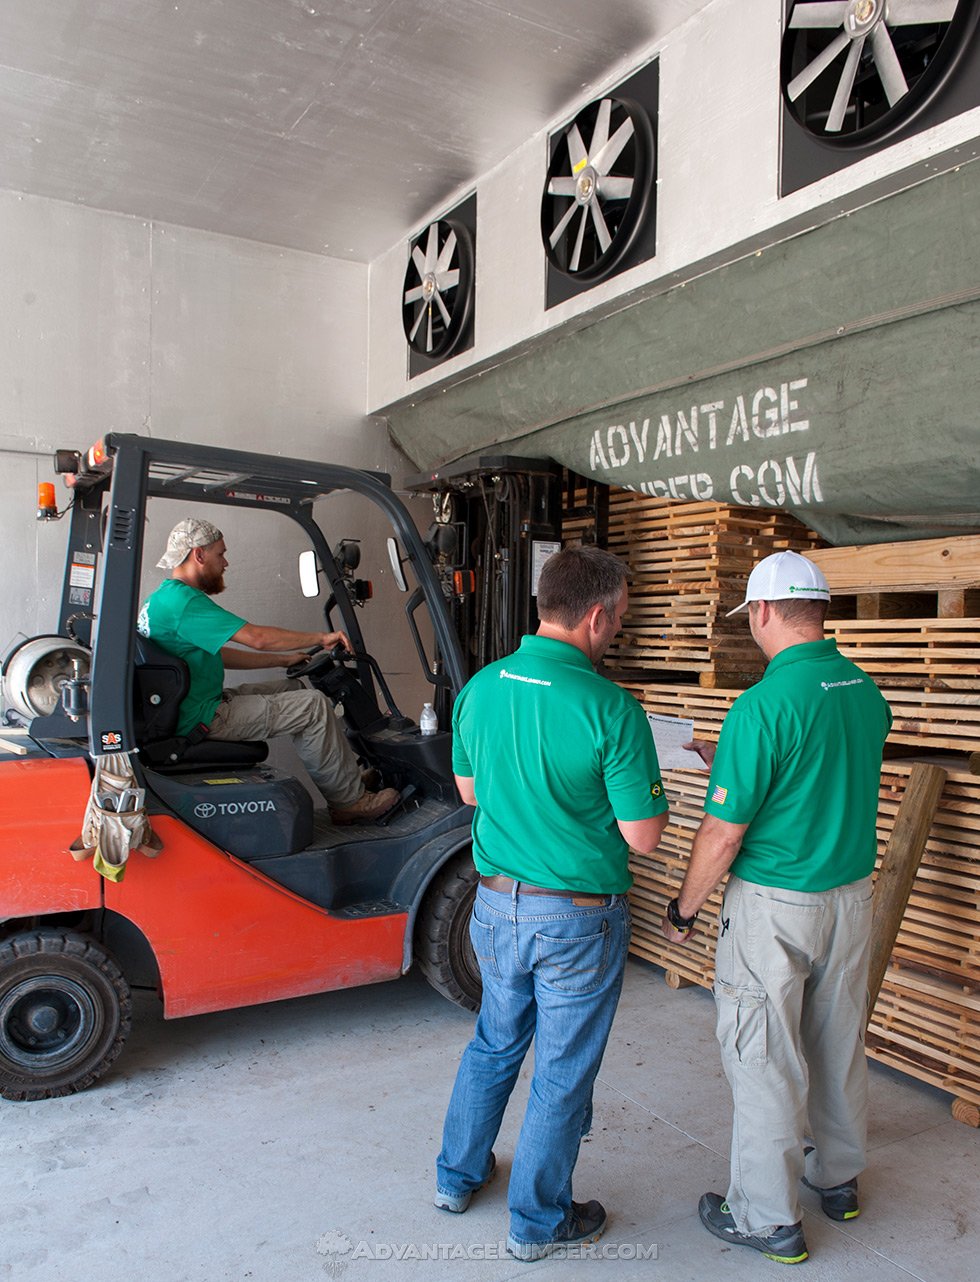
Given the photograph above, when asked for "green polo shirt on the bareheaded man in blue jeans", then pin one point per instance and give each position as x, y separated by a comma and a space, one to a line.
557, 754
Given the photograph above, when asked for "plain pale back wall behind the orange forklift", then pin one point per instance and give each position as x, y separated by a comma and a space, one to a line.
112, 324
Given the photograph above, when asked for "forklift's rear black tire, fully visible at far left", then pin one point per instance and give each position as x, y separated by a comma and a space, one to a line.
65, 1015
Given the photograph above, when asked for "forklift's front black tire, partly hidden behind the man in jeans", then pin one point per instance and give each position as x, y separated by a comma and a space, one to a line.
443, 948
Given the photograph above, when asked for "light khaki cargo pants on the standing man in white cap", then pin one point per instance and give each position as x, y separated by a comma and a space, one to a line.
792, 1003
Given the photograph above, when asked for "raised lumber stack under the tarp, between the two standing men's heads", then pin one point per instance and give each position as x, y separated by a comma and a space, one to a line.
688, 566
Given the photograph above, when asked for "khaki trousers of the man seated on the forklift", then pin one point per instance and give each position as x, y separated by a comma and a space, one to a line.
271, 708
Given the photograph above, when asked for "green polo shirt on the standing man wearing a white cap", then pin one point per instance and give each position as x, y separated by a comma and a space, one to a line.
800, 762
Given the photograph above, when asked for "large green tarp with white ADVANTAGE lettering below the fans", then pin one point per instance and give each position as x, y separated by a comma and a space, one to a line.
834, 375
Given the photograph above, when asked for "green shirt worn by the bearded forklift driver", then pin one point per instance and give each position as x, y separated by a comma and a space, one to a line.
189, 624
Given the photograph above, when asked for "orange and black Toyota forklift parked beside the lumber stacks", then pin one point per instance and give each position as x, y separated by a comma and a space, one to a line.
255, 895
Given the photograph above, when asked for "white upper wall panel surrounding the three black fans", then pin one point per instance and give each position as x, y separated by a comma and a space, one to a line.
718, 189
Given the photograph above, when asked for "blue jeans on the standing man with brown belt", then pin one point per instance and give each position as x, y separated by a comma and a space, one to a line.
552, 972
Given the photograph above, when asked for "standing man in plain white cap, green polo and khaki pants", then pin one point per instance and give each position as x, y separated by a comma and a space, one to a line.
791, 810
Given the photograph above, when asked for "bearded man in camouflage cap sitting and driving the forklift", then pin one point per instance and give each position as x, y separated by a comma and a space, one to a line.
183, 620
